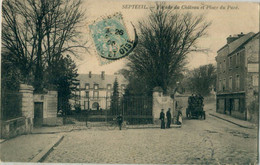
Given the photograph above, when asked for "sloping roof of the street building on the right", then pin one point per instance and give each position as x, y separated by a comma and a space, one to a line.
233, 46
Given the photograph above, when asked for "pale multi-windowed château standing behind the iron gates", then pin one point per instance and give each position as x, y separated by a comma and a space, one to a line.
95, 90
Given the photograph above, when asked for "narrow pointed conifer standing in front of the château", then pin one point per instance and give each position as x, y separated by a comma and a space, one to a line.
115, 99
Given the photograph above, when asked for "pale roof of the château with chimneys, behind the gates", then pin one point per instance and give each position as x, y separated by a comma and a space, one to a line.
97, 79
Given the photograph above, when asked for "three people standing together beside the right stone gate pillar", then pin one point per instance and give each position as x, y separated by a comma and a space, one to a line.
169, 118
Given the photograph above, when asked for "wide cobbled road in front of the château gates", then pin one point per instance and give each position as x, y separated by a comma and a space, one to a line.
209, 141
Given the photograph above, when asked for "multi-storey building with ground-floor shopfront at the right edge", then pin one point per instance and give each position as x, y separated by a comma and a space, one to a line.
238, 76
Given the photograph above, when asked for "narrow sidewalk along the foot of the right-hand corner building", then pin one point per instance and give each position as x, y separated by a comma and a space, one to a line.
230, 119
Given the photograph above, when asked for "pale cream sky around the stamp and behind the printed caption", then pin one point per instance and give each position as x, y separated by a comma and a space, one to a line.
228, 18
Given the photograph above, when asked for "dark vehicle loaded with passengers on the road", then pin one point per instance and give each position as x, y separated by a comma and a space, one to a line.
195, 107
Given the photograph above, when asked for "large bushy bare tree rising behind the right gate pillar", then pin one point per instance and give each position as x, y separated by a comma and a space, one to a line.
165, 40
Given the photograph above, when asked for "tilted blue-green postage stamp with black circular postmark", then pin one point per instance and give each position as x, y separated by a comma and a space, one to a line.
110, 37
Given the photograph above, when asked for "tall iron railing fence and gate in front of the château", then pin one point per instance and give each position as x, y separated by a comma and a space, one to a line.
134, 109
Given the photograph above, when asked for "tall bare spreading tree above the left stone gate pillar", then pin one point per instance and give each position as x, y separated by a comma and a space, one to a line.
37, 33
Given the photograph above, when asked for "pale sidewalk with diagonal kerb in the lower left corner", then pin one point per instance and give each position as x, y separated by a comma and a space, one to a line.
28, 148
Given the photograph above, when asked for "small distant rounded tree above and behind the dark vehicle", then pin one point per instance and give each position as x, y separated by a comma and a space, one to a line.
202, 79
